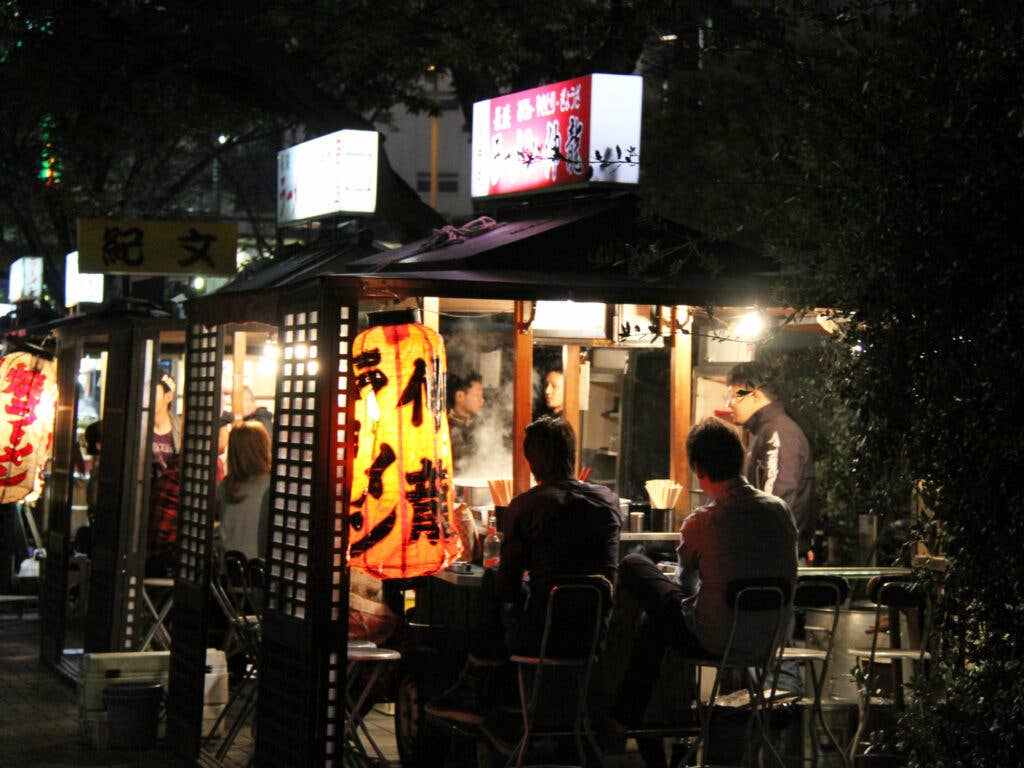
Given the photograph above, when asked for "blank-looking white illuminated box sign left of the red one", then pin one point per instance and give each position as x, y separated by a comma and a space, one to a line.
336, 174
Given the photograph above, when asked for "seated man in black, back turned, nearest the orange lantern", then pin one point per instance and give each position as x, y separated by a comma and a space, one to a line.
561, 528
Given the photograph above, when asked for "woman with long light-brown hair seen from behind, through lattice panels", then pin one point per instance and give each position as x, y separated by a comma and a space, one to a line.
244, 495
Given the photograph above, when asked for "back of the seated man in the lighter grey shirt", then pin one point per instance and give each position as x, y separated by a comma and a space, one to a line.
748, 534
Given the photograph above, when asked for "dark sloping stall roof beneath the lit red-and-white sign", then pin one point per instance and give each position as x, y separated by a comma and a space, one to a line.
581, 252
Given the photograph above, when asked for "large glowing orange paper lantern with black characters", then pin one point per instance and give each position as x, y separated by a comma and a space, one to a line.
401, 511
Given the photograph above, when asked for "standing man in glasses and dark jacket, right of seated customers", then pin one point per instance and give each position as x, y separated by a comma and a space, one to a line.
779, 457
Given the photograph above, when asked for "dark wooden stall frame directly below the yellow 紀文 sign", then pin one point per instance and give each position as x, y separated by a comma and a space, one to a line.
106, 363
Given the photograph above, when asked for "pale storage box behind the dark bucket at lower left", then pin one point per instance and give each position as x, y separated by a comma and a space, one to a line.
97, 671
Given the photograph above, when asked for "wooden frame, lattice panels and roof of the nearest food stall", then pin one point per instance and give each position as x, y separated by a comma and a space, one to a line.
318, 314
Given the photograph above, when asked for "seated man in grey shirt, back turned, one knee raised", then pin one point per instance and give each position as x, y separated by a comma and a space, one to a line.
742, 533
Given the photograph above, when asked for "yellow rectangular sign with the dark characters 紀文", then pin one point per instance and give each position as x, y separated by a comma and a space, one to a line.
136, 247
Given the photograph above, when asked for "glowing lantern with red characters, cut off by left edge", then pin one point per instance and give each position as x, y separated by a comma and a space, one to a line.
28, 399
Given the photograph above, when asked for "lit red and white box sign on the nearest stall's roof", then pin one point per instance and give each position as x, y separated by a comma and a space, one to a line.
578, 132
